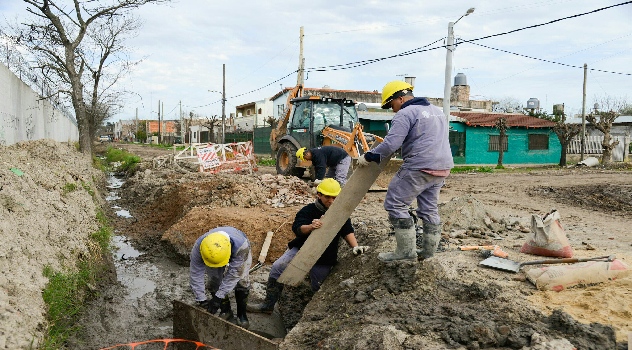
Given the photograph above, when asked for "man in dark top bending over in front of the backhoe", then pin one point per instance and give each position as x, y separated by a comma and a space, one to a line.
332, 157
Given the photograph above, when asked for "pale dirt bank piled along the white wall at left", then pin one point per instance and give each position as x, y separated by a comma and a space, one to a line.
47, 213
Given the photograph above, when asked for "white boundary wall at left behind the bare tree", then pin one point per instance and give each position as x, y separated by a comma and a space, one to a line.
23, 116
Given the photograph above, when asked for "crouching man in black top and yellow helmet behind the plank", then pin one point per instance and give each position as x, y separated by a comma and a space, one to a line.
306, 221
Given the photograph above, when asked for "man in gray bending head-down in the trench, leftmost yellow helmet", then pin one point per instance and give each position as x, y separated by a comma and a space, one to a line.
223, 253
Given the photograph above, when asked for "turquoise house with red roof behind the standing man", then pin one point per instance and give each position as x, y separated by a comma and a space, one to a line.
476, 141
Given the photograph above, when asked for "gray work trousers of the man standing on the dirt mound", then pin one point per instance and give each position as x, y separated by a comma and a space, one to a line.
407, 185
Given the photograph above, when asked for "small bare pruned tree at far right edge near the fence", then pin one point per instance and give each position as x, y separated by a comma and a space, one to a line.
602, 120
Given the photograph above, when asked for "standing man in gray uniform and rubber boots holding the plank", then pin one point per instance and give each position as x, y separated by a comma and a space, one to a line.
420, 130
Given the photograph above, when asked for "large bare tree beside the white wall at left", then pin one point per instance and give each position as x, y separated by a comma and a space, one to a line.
64, 40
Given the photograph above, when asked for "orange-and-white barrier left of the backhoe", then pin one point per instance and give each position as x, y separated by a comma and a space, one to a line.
230, 157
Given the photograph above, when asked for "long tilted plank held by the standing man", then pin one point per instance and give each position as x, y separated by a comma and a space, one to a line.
348, 199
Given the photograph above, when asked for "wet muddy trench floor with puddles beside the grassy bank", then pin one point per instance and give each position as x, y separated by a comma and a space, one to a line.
150, 275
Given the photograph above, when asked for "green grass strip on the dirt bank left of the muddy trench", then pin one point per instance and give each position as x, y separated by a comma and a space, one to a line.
67, 291
